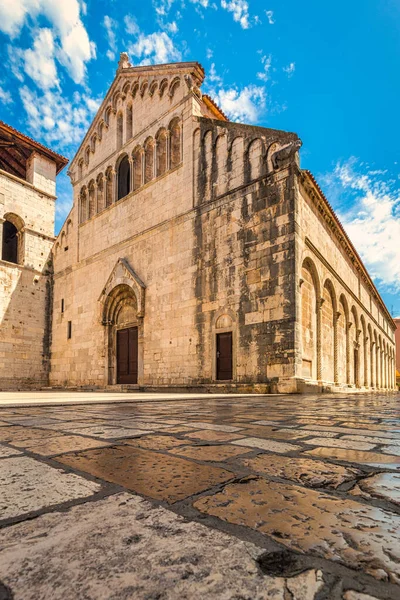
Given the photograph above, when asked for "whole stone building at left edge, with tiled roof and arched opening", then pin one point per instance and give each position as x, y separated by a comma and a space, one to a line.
27, 207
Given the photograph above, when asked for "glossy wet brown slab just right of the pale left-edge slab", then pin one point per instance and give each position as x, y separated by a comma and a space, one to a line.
149, 473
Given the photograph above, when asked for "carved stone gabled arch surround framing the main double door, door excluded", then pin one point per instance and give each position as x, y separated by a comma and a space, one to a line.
122, 304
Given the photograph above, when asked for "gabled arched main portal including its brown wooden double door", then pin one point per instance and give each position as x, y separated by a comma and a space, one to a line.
122, 316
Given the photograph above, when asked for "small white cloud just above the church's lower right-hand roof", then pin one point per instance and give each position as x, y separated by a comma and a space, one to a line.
244, 106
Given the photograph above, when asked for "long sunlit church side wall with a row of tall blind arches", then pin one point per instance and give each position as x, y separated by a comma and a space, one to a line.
345, 330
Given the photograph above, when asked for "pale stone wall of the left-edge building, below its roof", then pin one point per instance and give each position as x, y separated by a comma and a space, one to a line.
25, 288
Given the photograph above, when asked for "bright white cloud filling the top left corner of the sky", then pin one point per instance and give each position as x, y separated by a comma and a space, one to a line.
74, 49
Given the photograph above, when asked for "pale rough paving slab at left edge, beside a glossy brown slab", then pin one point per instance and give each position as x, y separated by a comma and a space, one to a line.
29, 485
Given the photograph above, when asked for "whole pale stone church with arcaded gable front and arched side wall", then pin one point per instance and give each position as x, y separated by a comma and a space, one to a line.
199, 255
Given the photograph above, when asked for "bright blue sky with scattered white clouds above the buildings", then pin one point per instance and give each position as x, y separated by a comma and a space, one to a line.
328, 71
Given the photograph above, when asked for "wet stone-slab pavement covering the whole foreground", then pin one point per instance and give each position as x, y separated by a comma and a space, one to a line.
281, 497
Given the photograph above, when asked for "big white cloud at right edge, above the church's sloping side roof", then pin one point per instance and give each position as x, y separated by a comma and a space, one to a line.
373, 219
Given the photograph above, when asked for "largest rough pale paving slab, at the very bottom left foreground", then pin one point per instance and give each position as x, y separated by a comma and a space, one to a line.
124, 548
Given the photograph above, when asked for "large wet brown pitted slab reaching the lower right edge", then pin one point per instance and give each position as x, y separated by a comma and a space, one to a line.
359, 536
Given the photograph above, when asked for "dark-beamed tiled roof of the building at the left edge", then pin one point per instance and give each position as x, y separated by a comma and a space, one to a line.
21, 146
